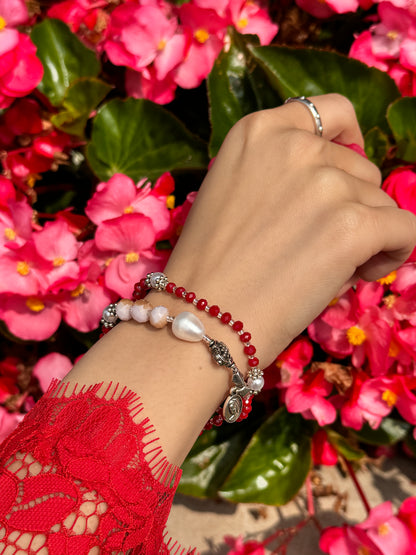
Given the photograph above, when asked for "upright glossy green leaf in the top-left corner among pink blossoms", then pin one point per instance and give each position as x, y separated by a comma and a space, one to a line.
64, 58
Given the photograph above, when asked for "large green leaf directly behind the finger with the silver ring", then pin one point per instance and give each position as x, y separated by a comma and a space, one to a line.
309, 72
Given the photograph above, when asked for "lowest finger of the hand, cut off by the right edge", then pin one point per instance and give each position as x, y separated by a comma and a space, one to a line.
393, 240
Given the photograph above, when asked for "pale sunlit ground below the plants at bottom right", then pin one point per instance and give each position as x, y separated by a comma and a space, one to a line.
203, 523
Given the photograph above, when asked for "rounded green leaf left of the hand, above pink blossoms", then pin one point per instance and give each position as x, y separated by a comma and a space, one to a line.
141, 139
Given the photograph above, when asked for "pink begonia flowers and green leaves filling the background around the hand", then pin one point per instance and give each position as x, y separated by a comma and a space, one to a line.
111, 112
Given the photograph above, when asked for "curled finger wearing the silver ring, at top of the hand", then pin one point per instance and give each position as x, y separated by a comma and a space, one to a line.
337, 115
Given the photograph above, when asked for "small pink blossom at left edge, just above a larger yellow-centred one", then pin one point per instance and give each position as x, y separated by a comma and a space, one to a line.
15, 225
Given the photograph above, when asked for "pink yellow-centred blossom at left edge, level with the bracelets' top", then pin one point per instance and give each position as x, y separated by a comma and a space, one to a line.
24, 271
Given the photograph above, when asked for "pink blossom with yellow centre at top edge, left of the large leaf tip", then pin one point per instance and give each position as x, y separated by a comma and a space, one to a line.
207, 29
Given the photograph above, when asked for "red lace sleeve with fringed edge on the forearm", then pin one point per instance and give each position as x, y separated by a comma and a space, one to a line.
84, 474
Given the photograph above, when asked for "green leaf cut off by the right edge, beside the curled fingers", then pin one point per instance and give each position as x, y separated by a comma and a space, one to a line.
402, 119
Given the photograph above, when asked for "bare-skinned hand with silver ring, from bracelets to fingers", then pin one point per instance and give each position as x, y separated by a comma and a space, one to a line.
284, 219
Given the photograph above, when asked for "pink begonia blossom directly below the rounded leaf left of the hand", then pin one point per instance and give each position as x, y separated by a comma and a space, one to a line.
119, 195
